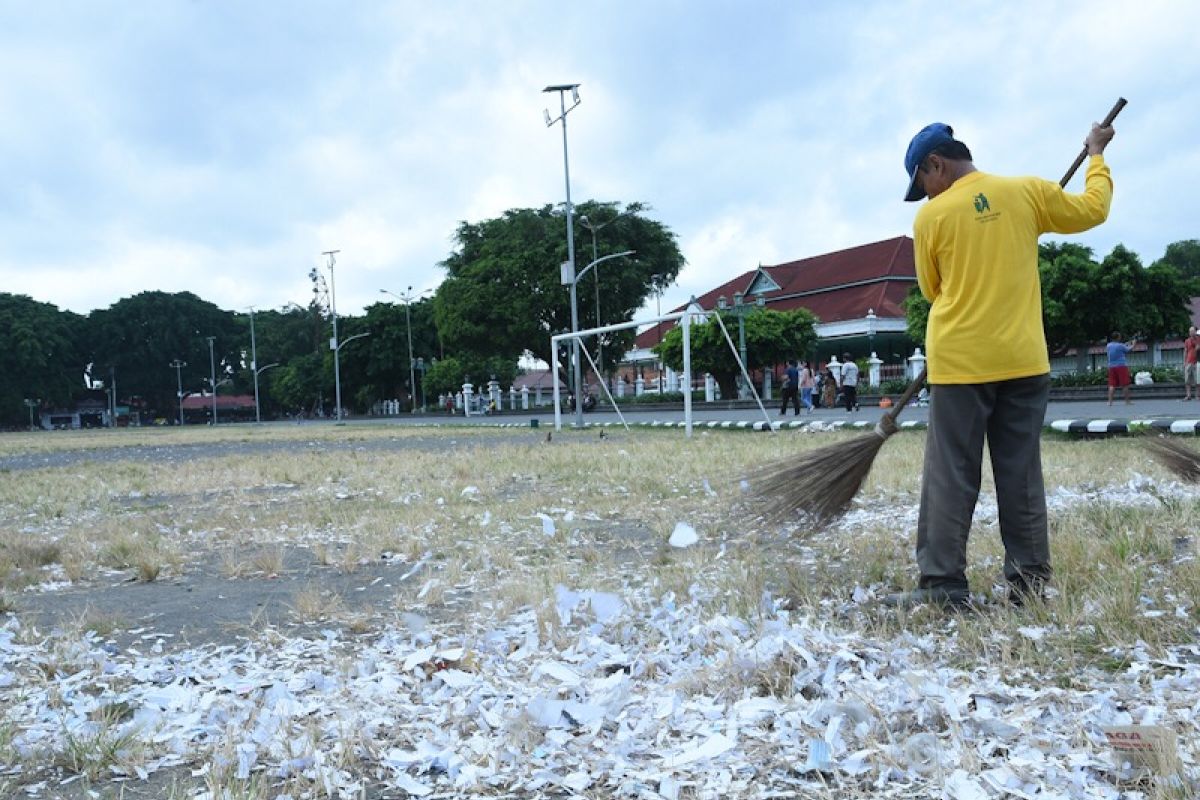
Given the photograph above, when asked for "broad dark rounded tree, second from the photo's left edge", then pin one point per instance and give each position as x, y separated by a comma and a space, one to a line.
136, 340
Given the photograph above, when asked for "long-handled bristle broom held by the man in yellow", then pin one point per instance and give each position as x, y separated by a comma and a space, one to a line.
826, 480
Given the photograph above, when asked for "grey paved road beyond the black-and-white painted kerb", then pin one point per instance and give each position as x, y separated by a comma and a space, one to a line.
1141, 410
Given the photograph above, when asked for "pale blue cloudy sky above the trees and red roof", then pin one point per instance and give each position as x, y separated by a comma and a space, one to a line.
220, 147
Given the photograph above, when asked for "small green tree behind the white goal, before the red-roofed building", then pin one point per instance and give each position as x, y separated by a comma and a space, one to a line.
772, 338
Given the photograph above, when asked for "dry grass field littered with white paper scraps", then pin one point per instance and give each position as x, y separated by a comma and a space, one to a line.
381, 612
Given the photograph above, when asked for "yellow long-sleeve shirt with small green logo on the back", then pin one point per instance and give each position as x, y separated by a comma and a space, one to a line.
976, 246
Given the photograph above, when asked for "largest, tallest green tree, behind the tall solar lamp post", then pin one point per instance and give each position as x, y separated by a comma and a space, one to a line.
503, 294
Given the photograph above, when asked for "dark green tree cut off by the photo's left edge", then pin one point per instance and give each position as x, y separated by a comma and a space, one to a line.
41, 357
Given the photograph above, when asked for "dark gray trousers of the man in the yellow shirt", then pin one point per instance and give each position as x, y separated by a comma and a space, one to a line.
1009, 416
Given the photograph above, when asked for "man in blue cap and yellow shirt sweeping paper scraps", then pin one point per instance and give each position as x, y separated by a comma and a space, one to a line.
976, 246
